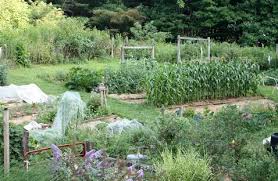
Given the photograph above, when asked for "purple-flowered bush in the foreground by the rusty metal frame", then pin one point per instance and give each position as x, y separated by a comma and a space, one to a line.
96, 165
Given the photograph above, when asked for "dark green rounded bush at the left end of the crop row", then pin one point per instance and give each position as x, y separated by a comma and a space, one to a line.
83, 79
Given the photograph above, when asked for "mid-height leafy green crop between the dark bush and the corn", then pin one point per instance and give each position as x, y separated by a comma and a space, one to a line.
128, 79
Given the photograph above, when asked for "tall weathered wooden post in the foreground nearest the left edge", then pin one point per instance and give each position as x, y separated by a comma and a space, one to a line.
6, 141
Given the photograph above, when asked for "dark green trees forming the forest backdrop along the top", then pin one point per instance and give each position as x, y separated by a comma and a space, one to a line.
249, 22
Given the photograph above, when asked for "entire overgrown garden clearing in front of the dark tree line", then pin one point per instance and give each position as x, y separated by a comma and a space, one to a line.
70, 127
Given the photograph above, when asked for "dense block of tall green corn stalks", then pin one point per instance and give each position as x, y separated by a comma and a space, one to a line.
174, 84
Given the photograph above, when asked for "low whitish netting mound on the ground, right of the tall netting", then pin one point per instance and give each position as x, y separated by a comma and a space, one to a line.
123, 125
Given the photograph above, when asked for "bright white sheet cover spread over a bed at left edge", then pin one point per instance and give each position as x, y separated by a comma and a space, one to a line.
28, 93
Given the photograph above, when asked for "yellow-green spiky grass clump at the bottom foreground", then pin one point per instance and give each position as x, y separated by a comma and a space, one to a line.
185, 165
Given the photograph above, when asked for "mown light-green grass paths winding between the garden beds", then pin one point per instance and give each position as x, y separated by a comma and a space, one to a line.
20, 76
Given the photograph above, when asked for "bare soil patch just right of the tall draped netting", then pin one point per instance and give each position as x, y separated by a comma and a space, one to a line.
91, 124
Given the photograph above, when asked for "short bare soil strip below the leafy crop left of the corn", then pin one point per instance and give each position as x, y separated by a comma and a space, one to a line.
130, 98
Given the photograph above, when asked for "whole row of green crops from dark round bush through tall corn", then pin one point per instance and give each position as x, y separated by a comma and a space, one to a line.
169, 84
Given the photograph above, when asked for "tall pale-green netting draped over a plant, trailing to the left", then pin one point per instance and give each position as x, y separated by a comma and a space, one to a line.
70, 108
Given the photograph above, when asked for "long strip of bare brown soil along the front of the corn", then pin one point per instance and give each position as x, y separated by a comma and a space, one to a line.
216, 105
